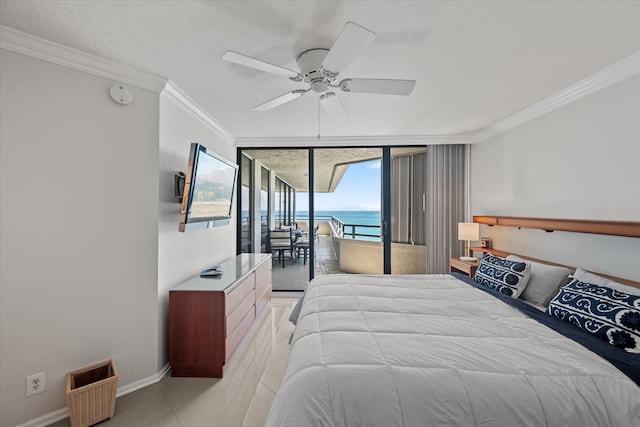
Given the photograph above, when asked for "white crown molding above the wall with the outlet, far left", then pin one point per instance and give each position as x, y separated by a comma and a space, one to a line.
27, 44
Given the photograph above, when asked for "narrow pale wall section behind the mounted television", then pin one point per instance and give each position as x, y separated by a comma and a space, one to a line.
184, 255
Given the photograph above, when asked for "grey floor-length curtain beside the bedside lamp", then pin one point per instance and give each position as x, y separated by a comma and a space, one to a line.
445, 203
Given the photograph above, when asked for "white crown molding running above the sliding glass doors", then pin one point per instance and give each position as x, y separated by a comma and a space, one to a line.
354, 141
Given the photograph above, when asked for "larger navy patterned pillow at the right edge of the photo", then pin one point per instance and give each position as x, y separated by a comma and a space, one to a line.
607, 313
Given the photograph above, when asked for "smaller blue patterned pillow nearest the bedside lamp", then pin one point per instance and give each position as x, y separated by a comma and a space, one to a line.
506, 277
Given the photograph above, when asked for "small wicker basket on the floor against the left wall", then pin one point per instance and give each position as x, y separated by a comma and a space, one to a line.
91, 394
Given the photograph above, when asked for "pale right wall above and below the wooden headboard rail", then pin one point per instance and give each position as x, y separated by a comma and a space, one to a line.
581, 161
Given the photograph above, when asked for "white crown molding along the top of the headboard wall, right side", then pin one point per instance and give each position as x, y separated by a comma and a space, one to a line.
615, 73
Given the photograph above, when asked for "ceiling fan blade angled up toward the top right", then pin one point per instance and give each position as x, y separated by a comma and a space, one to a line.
352, 39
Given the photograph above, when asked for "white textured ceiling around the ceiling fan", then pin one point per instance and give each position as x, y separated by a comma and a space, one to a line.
475, 62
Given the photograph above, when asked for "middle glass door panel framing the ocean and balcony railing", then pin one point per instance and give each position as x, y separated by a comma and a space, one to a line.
347, 210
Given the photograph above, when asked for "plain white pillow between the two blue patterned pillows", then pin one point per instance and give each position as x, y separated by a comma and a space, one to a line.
544, 282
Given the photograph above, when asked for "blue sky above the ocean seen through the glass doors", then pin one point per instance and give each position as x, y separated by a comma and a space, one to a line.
358, 190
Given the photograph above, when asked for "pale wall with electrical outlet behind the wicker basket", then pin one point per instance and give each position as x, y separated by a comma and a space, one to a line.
79, 226
